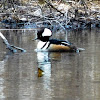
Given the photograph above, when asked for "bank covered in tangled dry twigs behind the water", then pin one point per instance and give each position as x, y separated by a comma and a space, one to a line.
56, 15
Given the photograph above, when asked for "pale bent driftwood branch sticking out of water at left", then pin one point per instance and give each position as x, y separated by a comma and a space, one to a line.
12, 48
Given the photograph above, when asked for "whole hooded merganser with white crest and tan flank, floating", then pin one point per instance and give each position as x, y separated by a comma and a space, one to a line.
46, 43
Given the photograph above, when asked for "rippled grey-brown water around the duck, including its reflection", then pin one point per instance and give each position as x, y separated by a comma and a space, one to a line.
50, 76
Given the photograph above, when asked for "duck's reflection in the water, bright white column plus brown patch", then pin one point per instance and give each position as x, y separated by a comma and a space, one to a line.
44, 62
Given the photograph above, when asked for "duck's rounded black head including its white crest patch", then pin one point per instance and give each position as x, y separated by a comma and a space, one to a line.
44, 34
